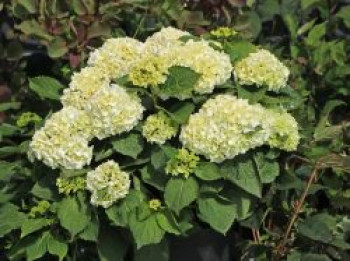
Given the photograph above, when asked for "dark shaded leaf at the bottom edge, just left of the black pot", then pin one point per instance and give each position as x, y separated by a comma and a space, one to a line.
158, 252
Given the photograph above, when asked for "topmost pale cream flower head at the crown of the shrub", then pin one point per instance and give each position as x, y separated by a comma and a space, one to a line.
164, 40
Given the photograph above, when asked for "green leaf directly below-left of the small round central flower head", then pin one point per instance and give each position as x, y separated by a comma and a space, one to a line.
130, 145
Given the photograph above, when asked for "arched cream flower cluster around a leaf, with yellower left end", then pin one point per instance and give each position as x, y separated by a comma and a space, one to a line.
164, 50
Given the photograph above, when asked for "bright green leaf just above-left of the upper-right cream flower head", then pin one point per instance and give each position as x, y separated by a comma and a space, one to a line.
239, 50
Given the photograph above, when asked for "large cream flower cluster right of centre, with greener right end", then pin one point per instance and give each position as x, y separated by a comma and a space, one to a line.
226, 126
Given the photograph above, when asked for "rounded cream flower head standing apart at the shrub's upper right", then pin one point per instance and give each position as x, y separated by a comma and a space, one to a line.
263, 69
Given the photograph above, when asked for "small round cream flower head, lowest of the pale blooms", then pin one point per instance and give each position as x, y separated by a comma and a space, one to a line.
107, 183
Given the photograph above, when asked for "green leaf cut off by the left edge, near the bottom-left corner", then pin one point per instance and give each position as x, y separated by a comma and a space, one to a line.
10, 218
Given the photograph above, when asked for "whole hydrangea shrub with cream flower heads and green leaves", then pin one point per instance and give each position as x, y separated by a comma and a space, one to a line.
175, 138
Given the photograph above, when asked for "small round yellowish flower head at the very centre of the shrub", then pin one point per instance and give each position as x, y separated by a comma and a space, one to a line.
158, 128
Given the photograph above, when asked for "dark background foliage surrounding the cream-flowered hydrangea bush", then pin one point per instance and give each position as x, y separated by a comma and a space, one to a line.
53, 38
